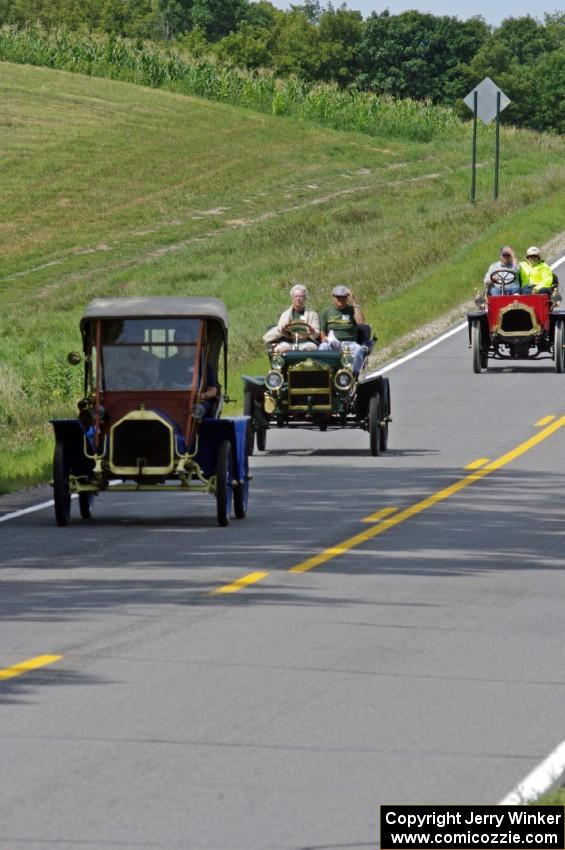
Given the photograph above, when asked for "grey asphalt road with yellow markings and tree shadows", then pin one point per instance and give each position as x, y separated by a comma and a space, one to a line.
419, 659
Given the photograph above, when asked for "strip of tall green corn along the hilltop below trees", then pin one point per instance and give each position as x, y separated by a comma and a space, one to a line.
149, 64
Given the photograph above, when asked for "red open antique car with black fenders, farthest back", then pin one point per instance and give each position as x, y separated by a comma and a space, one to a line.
516, 326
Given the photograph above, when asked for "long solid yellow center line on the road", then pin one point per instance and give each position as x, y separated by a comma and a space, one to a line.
428, 502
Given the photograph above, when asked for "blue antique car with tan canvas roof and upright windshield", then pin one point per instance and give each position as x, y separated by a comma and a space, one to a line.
149, 419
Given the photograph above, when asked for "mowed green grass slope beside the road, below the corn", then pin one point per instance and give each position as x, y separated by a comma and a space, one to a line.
112, 189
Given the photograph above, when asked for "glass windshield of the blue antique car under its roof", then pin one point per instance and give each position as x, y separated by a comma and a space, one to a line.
149, 353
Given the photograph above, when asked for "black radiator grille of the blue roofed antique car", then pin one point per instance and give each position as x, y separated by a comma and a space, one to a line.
141, 447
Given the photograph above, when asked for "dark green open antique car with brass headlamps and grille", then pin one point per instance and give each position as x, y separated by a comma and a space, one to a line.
317, 389
